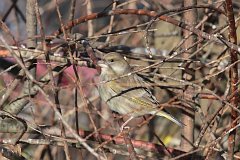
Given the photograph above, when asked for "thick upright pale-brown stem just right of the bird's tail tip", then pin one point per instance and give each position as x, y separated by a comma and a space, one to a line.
188, 117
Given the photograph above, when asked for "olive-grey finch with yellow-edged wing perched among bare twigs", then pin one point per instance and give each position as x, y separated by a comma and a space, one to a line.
125, 92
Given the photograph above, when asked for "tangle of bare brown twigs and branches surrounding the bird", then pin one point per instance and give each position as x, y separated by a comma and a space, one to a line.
191, 78
